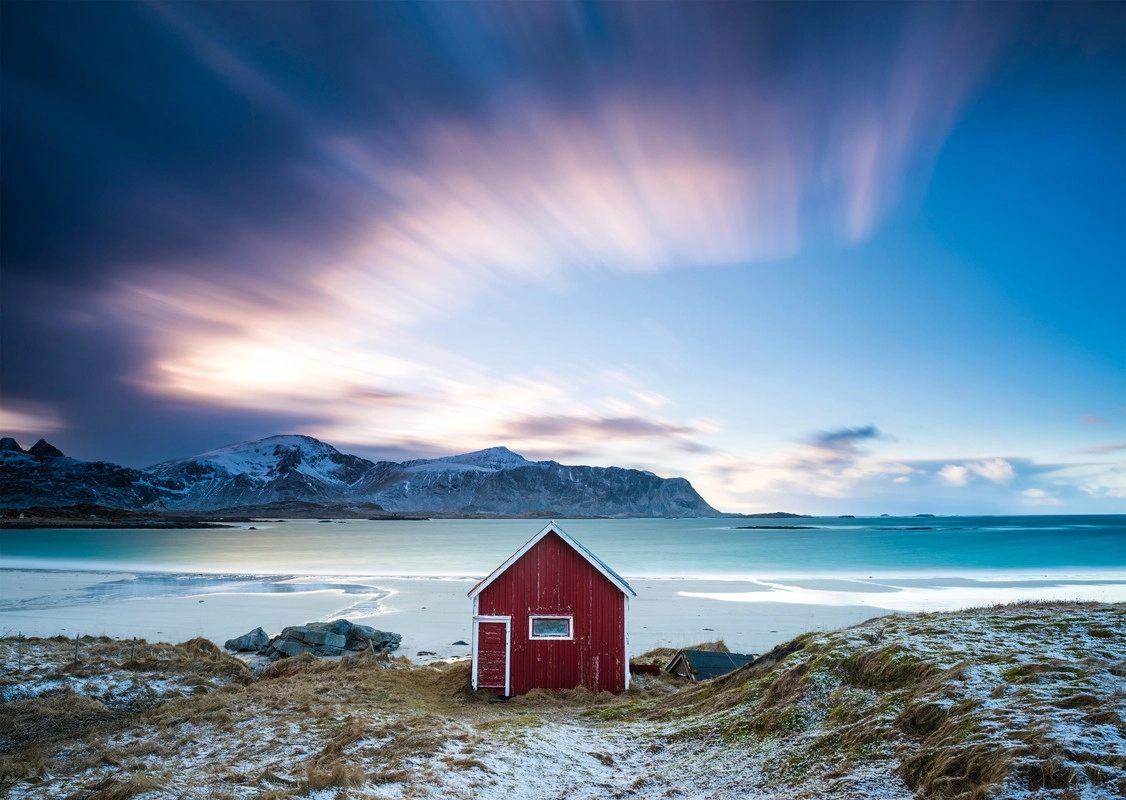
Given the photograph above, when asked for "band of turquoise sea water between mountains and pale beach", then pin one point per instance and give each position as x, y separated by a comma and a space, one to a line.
972, 547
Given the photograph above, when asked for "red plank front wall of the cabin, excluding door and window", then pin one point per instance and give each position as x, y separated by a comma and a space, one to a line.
552, 579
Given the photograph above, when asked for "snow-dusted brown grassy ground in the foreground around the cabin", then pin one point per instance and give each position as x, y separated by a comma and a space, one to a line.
1022, 701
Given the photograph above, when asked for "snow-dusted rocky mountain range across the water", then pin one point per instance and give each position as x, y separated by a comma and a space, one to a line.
302, 469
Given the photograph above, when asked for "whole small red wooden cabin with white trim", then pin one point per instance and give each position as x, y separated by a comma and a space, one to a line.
552, 617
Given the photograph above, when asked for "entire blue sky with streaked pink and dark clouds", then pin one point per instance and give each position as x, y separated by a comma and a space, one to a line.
827, 259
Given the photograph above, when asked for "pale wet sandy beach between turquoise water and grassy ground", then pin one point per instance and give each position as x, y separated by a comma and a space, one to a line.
434, 614
